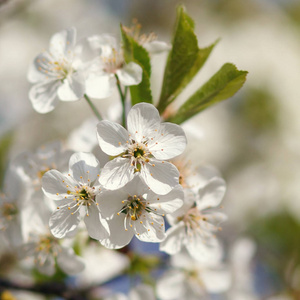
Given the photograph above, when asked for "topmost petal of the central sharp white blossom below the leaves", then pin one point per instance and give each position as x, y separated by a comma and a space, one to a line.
143, 120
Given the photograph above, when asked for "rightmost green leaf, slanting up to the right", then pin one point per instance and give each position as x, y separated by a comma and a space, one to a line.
223, 85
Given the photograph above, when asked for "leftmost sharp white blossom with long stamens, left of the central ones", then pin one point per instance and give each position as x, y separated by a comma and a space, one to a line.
75, 192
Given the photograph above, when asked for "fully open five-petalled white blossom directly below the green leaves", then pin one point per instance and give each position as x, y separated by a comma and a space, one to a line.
142, 149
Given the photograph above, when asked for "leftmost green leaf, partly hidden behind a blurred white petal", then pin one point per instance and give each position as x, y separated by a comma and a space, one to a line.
133, 51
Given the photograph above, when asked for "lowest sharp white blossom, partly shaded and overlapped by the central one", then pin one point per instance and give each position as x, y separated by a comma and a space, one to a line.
136, 210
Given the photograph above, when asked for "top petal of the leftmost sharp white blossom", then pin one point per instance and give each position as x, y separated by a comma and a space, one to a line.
84, 167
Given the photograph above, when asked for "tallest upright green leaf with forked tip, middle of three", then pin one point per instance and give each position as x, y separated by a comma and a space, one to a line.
184, 60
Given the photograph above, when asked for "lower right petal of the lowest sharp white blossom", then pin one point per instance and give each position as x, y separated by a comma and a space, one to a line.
150, 228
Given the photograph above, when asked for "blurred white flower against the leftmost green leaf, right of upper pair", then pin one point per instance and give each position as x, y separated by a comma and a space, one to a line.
105, 61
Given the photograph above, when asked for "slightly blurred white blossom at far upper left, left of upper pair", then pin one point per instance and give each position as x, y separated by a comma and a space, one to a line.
57, 73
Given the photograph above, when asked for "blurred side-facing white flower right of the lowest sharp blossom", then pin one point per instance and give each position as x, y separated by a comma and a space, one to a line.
194, 224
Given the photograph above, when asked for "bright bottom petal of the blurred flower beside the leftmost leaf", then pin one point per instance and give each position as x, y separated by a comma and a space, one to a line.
99, 86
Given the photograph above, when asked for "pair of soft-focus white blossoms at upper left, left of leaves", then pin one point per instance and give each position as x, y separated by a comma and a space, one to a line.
71, 69
